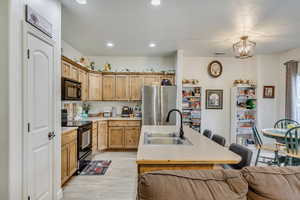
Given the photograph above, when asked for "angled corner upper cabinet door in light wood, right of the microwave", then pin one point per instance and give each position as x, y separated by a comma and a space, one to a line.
95, 88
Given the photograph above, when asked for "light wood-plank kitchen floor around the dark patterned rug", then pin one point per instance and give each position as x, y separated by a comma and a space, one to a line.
119, 182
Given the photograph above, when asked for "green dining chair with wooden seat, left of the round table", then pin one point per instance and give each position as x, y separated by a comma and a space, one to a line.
274, 148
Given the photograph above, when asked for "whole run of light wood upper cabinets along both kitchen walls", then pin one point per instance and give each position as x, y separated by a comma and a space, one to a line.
110, 86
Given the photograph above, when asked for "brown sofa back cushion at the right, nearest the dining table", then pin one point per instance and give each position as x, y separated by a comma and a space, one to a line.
276, 183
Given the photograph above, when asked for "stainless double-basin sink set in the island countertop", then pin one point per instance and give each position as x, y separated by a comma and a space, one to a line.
165, 139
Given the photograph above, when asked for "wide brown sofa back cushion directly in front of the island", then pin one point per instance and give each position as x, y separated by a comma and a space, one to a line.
192, 185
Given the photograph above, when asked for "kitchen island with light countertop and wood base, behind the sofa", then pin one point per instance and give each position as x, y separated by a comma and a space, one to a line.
202, 153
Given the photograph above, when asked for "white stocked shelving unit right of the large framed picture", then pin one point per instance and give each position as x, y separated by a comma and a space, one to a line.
243, 114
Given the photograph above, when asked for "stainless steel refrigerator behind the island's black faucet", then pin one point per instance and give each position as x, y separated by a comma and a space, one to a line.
156, 103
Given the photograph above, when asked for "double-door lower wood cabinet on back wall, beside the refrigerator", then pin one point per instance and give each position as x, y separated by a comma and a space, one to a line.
123, 137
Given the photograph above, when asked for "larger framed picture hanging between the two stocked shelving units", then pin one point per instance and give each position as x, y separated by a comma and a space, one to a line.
214, 99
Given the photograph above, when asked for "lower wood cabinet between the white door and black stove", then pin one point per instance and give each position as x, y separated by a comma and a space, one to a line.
68, 155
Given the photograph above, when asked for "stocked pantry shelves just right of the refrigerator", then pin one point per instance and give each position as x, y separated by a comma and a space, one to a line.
191, 106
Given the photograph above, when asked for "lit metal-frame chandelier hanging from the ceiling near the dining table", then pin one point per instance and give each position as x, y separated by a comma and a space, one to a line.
244, 48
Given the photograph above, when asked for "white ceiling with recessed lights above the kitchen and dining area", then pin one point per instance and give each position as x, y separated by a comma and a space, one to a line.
199, 27
